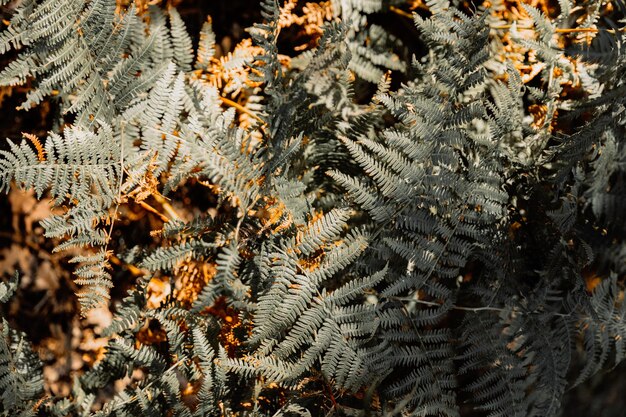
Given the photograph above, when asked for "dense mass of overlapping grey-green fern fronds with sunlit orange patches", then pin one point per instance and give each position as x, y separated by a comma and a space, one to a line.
422, 254
